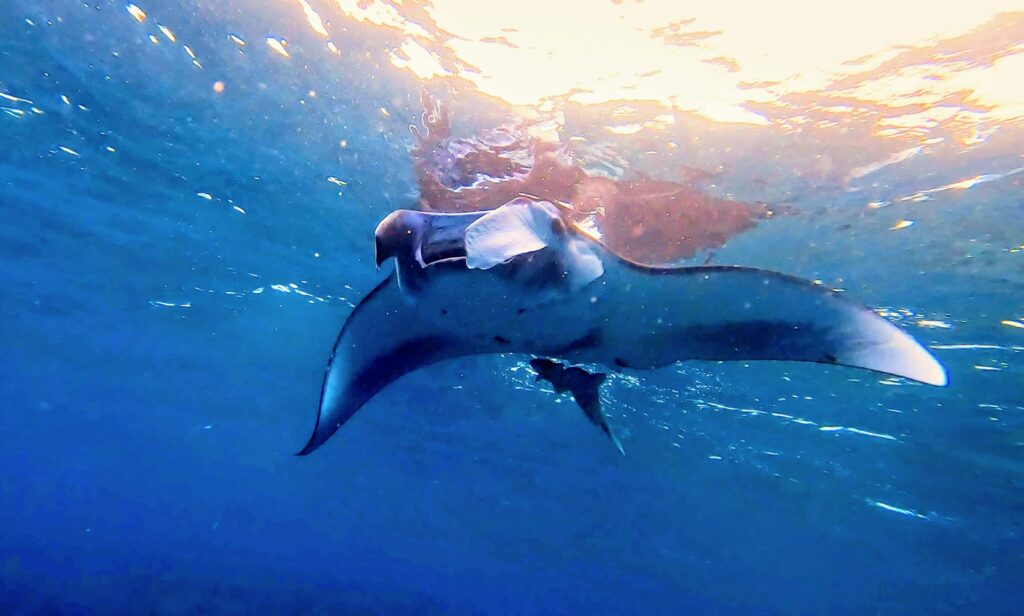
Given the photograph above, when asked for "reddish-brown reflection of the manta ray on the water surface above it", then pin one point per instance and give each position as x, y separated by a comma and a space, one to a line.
639, 217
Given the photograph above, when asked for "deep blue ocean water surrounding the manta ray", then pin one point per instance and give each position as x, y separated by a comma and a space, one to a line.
177, 262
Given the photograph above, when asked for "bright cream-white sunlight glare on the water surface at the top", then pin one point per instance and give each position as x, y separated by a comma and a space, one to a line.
906, 68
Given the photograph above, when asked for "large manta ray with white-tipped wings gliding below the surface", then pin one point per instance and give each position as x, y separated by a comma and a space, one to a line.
518, 280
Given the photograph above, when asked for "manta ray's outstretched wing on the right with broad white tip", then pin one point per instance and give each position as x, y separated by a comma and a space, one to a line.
740, 314
